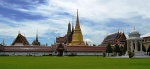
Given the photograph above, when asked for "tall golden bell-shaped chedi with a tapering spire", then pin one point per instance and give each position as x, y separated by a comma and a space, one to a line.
77, 38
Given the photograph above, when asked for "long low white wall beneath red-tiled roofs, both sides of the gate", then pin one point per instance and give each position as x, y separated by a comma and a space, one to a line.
51, 53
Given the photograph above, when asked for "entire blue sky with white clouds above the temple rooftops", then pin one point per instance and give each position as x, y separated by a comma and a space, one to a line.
98, 18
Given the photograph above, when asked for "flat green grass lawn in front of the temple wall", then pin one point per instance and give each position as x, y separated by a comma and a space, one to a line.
78, 62
